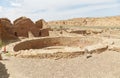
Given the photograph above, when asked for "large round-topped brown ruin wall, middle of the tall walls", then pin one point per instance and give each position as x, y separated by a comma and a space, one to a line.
23, 25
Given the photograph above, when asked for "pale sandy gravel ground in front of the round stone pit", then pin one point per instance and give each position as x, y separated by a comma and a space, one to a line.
104, 65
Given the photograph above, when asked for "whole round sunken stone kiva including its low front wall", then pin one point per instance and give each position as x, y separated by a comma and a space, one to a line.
58, 49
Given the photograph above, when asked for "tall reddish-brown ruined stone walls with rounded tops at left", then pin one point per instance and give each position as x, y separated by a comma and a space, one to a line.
21, 27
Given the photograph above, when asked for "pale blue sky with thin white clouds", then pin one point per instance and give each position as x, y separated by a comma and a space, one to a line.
58, 9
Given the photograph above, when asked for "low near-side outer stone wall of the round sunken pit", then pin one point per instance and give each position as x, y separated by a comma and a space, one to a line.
59, 55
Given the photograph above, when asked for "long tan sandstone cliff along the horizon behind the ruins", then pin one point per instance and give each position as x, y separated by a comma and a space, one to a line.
103, 21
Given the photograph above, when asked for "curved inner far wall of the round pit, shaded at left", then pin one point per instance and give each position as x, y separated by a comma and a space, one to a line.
56, 41
